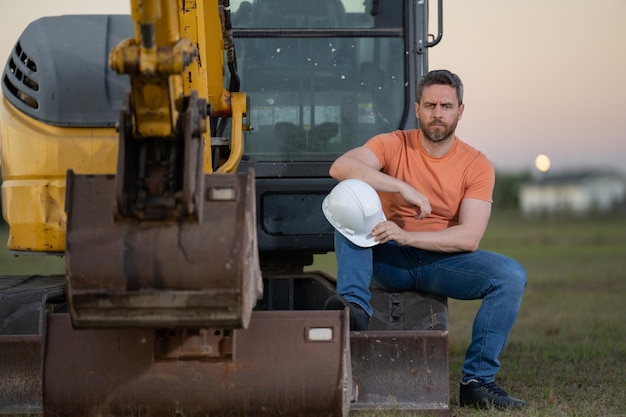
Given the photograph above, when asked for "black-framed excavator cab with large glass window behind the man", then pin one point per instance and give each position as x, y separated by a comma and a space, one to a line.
322, 77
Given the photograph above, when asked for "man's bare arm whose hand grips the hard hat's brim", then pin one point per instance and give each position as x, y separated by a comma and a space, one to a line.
464, 237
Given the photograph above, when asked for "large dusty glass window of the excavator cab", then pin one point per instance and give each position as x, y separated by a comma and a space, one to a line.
322, 76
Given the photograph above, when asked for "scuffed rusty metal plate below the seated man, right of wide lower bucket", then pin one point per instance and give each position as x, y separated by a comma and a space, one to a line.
401, 370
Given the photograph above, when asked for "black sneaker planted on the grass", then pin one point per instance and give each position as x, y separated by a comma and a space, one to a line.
475, 394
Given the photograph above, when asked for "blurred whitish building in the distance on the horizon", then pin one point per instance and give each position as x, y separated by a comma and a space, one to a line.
576, 193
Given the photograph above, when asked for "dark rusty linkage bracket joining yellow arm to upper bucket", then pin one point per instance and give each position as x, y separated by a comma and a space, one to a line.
161, 177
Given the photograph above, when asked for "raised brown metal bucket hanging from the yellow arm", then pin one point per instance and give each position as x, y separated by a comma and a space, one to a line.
185, 272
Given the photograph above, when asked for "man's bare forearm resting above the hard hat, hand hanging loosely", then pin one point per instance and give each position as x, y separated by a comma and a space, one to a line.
362, 164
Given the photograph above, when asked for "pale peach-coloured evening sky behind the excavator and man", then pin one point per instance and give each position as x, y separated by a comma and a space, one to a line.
541, 76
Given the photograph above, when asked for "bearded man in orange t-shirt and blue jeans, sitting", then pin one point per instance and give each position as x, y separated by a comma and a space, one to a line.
436, 193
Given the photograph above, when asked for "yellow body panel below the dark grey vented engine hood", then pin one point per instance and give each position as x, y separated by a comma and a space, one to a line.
35, 158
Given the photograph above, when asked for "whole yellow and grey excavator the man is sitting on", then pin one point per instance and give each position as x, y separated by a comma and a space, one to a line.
177, 159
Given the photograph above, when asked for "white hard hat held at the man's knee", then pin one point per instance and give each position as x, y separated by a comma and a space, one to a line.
353, 208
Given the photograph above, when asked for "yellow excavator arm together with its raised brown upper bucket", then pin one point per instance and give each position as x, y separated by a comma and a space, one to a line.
173, 246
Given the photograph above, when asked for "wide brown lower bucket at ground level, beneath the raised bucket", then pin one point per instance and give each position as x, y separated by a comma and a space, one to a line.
286, 363
